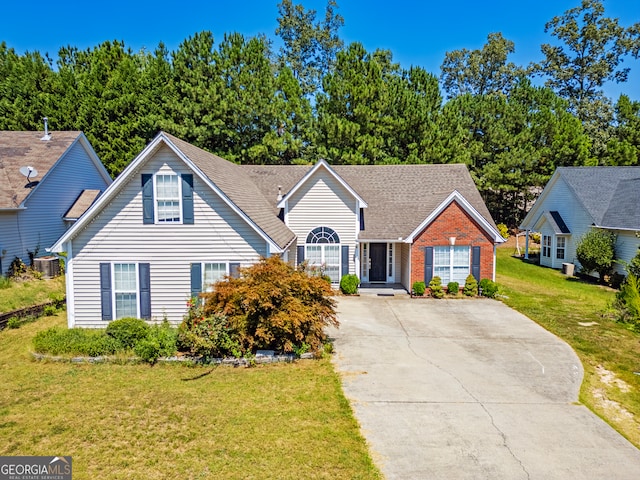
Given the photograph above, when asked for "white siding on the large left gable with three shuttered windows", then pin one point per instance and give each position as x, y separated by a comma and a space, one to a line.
118, 235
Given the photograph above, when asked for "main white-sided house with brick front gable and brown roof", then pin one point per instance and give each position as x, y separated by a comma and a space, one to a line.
179, 218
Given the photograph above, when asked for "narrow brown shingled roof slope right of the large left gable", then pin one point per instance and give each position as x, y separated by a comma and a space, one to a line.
240, 190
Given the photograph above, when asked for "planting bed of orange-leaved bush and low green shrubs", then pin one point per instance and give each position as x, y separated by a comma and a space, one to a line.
271, 306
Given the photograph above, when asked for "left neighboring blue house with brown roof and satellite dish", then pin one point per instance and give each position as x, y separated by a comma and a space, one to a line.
63, 176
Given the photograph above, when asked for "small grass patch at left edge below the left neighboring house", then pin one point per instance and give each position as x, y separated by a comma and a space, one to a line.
19, 294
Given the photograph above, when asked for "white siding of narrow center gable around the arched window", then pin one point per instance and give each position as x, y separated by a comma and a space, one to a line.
323, 201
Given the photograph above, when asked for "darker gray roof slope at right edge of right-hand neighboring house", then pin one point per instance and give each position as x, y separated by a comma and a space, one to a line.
624, 207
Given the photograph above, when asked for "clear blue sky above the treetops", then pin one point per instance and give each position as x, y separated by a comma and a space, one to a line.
417, 32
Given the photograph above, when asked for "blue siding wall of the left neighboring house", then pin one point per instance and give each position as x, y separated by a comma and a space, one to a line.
41, 224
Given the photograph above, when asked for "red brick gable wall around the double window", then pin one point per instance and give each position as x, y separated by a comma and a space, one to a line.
452, 222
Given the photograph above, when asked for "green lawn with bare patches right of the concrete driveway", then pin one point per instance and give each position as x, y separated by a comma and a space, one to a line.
575, 311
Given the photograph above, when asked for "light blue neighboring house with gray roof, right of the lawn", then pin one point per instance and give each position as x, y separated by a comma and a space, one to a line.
577, 199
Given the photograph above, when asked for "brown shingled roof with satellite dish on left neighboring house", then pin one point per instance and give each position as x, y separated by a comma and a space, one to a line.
22, 149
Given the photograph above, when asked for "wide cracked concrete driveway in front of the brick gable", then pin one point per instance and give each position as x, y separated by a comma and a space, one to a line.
470, 389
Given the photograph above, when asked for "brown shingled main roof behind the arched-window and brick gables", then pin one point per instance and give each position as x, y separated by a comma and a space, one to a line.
399, 197
